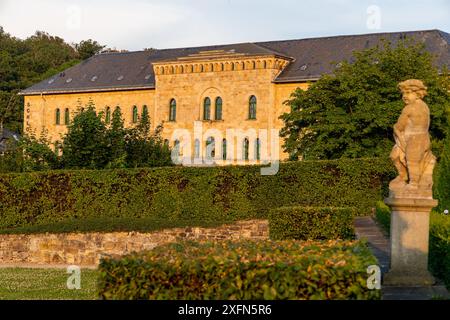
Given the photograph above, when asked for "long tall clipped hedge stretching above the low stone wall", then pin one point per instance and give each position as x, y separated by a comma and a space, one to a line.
189, 193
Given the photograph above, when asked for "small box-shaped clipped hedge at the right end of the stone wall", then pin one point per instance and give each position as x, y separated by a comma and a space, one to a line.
315, 223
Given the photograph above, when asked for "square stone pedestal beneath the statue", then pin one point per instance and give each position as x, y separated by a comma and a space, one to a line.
410, 220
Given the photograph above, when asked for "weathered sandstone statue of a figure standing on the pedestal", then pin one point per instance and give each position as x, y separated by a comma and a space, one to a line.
412, 154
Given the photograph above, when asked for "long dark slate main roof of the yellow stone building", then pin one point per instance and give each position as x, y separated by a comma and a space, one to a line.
310, 59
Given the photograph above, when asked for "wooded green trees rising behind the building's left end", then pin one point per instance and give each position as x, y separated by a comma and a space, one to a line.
25, 62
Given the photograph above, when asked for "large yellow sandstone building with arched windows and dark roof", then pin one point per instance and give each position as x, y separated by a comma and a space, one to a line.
236, 86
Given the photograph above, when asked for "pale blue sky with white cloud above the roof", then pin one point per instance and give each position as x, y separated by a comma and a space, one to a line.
137, 24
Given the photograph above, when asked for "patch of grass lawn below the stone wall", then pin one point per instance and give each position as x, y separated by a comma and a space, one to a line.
45, 284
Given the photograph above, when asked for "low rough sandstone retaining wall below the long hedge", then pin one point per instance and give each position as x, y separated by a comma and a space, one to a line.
86, 249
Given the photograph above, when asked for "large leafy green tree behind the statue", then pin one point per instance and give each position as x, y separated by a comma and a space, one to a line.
351, 112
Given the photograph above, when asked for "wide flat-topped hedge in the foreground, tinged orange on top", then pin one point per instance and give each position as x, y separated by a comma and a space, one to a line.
241, 270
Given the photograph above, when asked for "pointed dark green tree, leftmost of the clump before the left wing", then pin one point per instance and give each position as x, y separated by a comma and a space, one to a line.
85, 144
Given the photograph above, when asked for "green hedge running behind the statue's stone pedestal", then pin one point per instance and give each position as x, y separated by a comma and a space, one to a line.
439, 247
